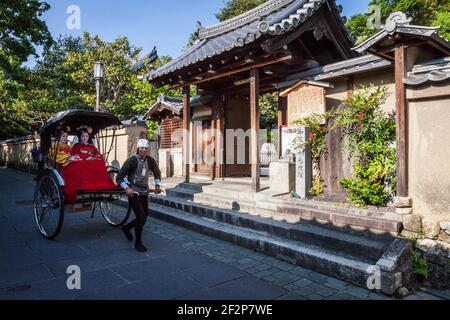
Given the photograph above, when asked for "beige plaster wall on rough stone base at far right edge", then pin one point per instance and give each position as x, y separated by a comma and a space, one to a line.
429, 183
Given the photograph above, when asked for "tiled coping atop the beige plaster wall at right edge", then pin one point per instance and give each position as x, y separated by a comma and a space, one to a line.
432, 71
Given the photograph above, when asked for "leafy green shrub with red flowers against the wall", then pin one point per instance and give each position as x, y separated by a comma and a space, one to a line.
370, 139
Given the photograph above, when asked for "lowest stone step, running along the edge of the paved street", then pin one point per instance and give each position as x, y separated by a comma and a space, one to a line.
306, 255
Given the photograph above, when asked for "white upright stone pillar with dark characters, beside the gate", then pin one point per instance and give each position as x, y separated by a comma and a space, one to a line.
303, 164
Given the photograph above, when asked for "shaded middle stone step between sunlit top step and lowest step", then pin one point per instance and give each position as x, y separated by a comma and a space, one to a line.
368, 250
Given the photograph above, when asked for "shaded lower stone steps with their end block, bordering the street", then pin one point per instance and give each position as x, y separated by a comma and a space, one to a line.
389, 272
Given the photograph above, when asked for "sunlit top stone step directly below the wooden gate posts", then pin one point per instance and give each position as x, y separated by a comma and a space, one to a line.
280, 210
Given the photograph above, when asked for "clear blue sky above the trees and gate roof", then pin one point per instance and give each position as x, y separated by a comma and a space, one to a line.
165, 24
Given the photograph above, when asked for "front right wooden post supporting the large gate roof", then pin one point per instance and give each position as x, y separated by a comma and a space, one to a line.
254, 125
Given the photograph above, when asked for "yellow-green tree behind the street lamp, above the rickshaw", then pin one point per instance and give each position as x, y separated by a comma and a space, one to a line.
63, 78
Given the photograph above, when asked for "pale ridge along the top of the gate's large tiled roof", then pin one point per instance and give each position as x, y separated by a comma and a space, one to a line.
245, 18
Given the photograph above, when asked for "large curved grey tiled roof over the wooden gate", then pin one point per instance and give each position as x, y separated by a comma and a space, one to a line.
272, 17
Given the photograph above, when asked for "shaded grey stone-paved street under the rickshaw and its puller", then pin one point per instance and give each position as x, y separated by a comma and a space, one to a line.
181, 264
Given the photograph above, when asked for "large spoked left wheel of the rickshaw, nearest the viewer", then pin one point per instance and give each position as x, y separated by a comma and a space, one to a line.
48, 206
